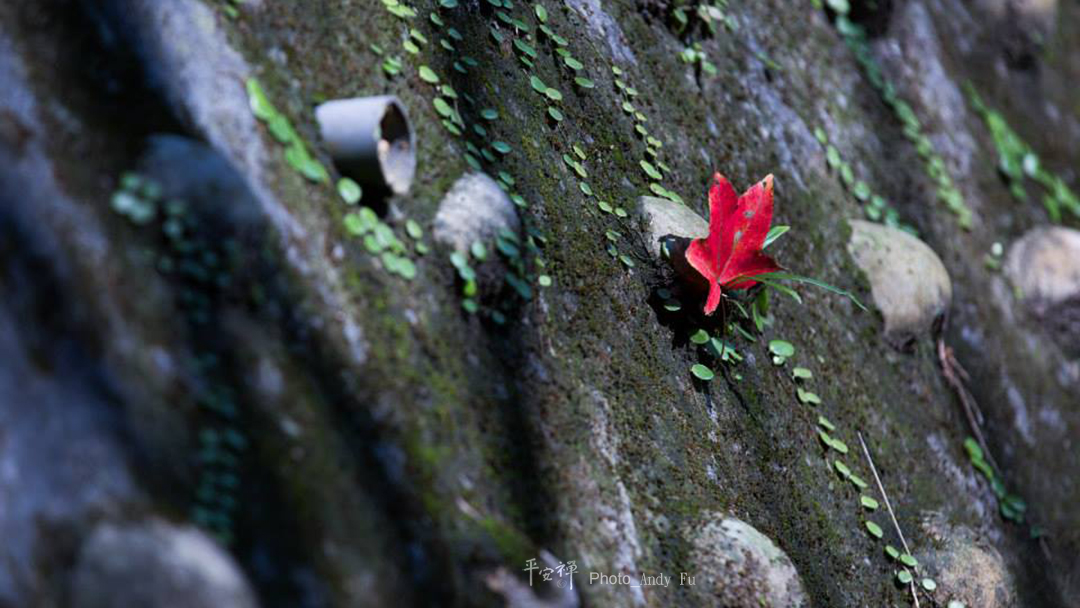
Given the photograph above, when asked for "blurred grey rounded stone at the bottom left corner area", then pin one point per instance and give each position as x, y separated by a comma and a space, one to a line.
157, 565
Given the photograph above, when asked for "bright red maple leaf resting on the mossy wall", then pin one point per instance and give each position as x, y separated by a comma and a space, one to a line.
738, 226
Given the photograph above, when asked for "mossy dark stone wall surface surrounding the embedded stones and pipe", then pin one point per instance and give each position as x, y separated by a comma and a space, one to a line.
355, 437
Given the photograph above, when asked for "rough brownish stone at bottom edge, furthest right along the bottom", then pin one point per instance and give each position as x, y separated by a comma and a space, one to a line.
966, 569
